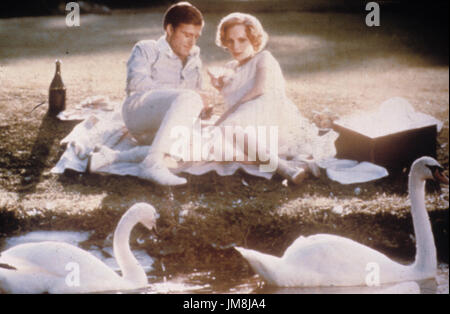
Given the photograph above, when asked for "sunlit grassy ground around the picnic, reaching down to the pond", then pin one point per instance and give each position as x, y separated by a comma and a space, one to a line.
330, 60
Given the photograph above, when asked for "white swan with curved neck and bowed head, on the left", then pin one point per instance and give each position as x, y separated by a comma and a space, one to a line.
57, 267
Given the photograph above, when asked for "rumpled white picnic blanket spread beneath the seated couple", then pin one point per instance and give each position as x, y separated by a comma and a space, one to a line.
102, 127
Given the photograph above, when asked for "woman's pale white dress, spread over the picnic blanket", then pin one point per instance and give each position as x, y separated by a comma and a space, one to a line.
296, 135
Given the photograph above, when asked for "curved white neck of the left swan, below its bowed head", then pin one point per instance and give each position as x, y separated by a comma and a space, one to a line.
132, 271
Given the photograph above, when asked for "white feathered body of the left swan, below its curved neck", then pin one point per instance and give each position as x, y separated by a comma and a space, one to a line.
54, 264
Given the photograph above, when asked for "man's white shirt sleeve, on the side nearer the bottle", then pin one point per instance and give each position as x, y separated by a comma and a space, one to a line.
139, 68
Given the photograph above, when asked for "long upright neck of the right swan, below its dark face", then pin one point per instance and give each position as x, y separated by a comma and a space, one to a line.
425, 247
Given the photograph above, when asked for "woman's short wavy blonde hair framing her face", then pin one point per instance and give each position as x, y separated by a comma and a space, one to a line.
255, 32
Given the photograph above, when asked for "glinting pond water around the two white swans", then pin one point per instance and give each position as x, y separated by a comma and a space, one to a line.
207, 282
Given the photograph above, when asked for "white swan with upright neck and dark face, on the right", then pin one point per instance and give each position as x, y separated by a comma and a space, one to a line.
330, 260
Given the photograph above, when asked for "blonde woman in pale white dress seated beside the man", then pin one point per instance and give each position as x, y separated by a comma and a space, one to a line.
254, 91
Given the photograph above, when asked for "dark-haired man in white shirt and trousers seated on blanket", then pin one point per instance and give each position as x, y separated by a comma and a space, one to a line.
162, 79
